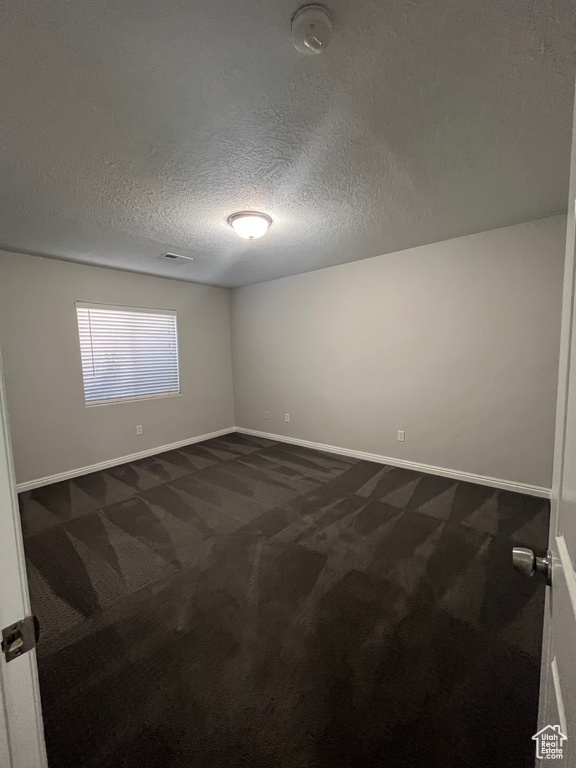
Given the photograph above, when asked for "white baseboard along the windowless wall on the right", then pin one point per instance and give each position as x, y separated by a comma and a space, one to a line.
455, 474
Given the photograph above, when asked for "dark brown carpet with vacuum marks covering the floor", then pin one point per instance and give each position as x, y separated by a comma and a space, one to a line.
241, 602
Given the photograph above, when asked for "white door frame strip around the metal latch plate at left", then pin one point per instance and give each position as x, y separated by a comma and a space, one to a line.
21, 731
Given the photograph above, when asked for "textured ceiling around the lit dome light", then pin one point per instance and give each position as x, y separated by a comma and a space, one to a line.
132, 128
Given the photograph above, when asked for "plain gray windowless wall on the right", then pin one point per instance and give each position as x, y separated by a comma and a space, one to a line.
456, 343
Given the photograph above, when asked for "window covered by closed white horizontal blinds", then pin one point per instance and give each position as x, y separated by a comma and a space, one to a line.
127, 353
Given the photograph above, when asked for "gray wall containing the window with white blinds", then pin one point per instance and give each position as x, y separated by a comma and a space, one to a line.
52, 430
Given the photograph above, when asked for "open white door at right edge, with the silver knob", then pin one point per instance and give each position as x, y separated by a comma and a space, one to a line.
558, 685
